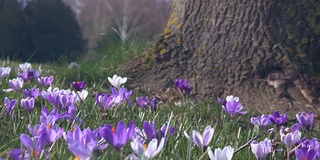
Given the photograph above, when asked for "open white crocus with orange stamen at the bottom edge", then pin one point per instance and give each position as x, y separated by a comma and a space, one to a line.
147, 152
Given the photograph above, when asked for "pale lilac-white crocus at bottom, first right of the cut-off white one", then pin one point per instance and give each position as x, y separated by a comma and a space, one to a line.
262, 149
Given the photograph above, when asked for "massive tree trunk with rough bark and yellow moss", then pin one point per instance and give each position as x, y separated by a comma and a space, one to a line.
265, 52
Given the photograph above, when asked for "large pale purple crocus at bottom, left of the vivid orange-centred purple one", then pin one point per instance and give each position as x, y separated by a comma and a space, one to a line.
81, 143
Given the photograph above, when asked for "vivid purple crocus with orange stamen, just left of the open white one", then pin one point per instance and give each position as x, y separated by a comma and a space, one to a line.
117, 136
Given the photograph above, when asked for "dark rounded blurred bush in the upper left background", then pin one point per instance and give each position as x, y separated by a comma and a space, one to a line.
42, 30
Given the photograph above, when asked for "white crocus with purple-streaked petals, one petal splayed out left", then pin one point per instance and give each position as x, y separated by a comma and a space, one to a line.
201, 140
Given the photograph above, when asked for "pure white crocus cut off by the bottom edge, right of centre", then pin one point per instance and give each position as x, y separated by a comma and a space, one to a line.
225, 154
